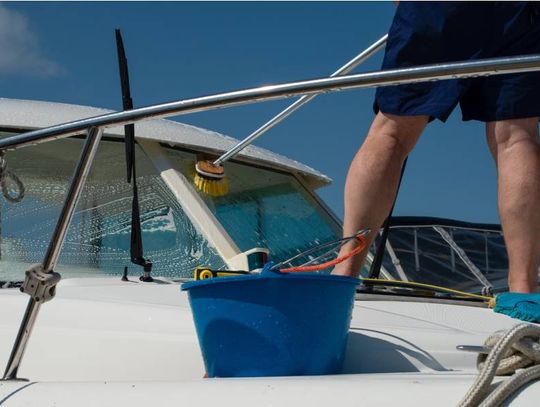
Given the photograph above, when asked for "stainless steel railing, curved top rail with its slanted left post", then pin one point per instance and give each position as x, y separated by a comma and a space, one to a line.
95, 126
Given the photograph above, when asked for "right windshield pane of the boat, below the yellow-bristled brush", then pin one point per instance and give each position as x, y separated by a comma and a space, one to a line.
265, 208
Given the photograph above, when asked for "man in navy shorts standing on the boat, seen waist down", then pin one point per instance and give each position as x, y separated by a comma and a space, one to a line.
426, 33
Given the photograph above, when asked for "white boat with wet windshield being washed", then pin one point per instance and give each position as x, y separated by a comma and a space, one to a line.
109, 338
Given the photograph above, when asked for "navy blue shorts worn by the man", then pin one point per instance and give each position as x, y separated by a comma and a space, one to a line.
425, 33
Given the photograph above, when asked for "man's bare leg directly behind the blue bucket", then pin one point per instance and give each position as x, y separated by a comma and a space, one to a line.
373, 178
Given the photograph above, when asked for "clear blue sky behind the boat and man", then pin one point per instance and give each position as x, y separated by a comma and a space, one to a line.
65, 52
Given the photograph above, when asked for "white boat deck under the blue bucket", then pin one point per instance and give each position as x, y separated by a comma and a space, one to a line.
102, 340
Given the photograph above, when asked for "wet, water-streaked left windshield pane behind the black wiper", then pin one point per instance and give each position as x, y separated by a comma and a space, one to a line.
98, 239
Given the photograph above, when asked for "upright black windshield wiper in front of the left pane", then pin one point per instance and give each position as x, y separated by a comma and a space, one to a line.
136, 247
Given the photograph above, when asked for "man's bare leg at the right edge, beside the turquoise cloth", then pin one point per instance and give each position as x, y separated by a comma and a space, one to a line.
516, 149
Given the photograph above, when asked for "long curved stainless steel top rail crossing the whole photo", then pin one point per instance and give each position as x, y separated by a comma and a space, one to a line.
485, 67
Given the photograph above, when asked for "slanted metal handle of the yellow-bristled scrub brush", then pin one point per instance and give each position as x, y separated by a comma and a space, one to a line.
345, 69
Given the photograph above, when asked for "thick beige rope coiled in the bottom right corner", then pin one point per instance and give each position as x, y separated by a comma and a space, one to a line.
512, 350
